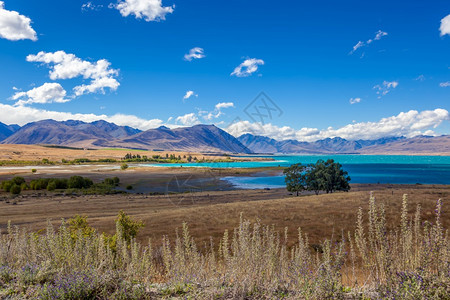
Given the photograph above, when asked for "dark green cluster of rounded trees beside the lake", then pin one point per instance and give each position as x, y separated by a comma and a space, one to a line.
325, 176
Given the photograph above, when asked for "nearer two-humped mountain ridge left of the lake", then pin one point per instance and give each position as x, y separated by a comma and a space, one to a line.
201, 138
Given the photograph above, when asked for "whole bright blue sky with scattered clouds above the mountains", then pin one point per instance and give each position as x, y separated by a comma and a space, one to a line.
300, 53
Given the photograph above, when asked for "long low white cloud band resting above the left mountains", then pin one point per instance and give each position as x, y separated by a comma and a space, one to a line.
23, 114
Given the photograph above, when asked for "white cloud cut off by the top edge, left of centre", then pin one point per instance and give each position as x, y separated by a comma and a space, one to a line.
149, 10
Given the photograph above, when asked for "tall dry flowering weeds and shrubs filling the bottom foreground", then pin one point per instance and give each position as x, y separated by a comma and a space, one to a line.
411, 261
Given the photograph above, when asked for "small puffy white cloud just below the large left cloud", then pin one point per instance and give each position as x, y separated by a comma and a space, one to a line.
46, 93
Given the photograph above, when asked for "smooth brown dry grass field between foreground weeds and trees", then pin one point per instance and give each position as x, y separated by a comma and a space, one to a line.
209, 214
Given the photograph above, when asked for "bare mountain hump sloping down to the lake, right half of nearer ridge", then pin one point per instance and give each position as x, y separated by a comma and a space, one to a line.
202, 138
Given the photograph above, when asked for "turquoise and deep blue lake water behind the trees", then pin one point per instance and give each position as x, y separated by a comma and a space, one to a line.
396, 169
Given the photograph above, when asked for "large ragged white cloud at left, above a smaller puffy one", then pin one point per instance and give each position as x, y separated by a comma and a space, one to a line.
66, 66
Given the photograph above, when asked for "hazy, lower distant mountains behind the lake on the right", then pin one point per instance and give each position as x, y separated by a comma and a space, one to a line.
260, 144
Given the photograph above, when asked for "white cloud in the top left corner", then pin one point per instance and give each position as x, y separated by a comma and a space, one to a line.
14, 26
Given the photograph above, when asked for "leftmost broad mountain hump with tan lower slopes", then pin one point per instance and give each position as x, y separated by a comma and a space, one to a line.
68, 133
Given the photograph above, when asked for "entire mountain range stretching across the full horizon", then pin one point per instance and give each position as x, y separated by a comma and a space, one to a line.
204, 138
